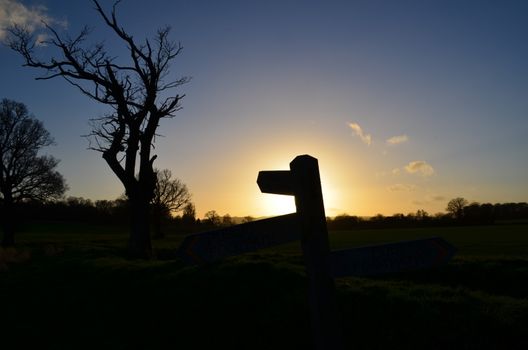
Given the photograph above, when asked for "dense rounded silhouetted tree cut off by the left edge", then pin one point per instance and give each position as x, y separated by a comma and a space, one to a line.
24, 175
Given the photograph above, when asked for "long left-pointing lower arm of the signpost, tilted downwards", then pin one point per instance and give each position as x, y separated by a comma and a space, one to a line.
210, 246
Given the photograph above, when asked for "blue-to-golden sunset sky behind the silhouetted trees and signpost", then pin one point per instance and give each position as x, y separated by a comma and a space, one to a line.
406, 104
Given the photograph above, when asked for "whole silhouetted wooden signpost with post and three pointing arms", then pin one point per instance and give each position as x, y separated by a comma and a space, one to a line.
309, 225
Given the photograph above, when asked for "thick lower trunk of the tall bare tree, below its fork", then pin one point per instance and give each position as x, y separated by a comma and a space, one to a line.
139, 245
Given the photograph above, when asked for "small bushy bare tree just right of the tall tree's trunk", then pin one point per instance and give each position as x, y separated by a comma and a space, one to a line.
170, 196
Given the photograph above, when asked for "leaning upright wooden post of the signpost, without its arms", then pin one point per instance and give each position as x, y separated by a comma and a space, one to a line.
316, 249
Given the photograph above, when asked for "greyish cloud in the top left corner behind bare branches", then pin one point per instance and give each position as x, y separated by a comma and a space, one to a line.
31, 18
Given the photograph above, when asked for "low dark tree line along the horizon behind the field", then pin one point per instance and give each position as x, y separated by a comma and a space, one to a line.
116, 212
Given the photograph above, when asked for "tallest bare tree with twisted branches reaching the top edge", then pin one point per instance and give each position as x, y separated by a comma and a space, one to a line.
126, 135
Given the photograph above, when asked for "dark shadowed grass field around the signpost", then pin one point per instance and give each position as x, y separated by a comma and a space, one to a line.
71, 287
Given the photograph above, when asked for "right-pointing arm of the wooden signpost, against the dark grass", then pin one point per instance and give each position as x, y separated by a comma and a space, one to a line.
392, 257
